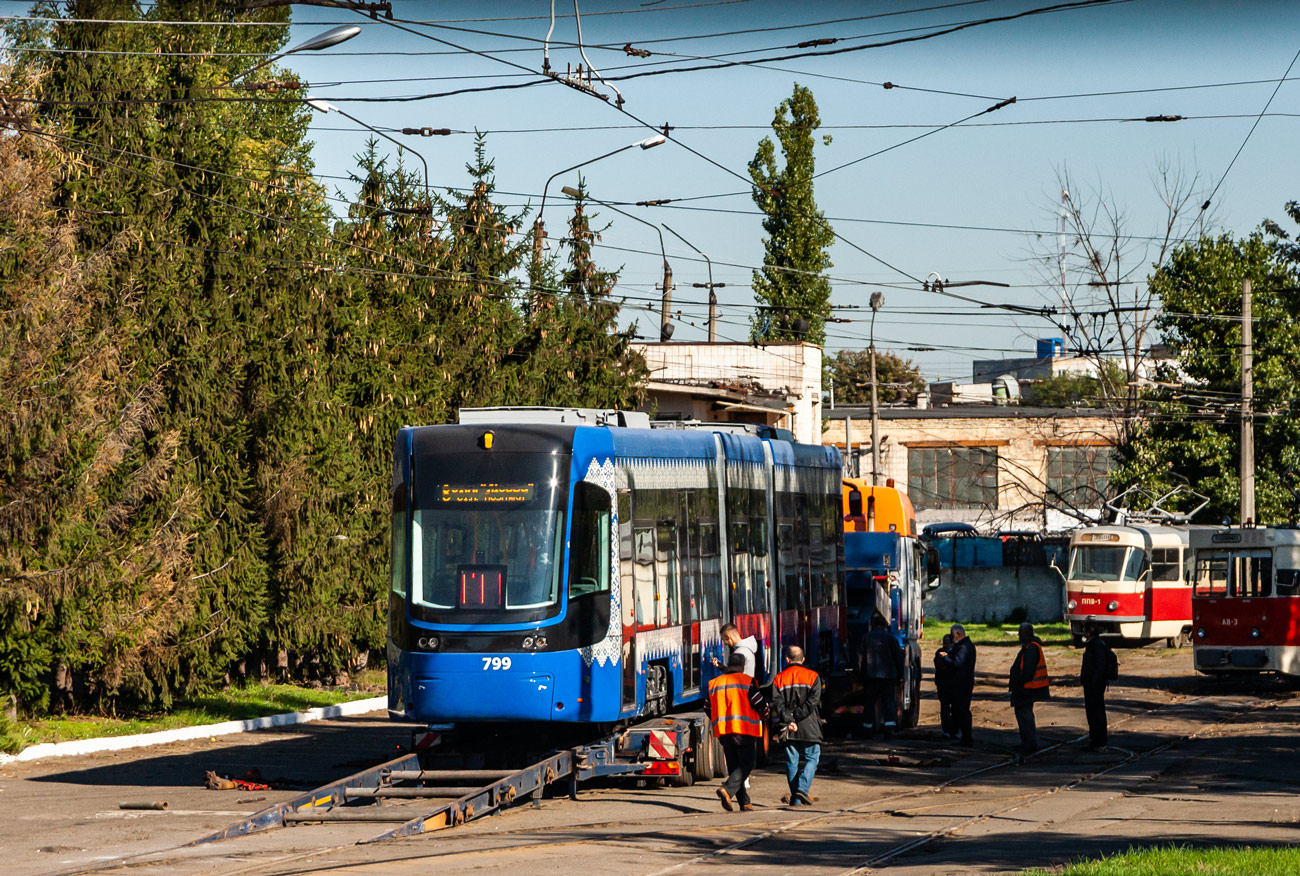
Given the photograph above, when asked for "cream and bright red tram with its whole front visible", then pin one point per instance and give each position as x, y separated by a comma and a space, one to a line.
1133, 580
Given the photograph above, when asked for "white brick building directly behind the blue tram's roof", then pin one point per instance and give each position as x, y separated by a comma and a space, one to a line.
775, 384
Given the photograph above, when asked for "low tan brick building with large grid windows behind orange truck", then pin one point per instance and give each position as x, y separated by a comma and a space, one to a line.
996, 467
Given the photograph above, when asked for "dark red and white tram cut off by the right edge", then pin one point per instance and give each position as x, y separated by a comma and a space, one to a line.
1246, 604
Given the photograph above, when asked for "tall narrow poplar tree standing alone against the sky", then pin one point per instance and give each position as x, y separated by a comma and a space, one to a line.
792, 284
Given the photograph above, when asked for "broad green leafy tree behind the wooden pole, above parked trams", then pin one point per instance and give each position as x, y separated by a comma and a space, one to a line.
1193, 433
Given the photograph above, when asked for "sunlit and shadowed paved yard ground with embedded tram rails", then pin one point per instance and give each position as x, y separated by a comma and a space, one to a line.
1194, 761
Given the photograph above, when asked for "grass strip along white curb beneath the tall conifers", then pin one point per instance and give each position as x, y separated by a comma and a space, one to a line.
229, 705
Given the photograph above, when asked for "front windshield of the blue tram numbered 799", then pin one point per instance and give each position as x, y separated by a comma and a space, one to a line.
488, 537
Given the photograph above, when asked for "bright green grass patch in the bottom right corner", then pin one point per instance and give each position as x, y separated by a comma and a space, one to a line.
1180, 861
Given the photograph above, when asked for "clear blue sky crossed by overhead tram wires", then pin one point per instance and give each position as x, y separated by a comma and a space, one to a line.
894, 206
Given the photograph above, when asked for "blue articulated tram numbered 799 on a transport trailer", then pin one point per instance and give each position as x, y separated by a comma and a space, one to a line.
573, 566
